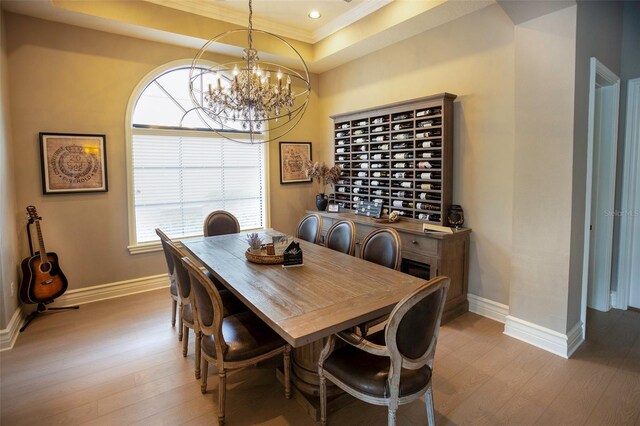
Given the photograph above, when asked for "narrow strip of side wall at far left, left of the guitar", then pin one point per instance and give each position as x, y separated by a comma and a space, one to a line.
8, 243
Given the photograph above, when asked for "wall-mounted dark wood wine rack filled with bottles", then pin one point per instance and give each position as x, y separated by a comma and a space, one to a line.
400, 155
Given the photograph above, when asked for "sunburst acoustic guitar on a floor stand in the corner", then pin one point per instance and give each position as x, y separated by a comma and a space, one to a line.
42, 278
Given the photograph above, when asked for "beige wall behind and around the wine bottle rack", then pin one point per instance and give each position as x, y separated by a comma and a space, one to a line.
471, 57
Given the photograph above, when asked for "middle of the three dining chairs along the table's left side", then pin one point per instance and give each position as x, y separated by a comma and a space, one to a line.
188, 317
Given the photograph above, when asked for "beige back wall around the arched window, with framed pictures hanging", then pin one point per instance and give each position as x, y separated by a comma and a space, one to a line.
68, 79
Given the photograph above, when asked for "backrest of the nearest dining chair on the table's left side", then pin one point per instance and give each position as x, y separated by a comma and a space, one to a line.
207, 299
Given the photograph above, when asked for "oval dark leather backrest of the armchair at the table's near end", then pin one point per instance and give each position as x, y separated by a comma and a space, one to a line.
412, 331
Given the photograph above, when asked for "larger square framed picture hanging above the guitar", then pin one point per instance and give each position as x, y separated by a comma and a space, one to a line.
73, 163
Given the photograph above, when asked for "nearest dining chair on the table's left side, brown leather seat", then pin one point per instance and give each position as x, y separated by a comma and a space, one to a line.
234, 341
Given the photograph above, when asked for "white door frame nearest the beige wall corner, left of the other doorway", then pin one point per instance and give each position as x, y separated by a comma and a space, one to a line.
598, 72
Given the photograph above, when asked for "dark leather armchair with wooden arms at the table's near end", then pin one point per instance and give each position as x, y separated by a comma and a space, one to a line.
393, 366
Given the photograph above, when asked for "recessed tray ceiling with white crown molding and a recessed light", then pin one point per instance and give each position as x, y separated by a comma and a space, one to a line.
346, 31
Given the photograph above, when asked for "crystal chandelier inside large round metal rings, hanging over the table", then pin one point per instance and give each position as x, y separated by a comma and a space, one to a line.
248, 96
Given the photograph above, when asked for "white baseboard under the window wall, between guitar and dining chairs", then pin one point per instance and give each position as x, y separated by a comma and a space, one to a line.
109, 291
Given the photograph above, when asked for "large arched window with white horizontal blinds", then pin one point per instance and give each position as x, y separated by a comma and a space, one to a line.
179, 171
